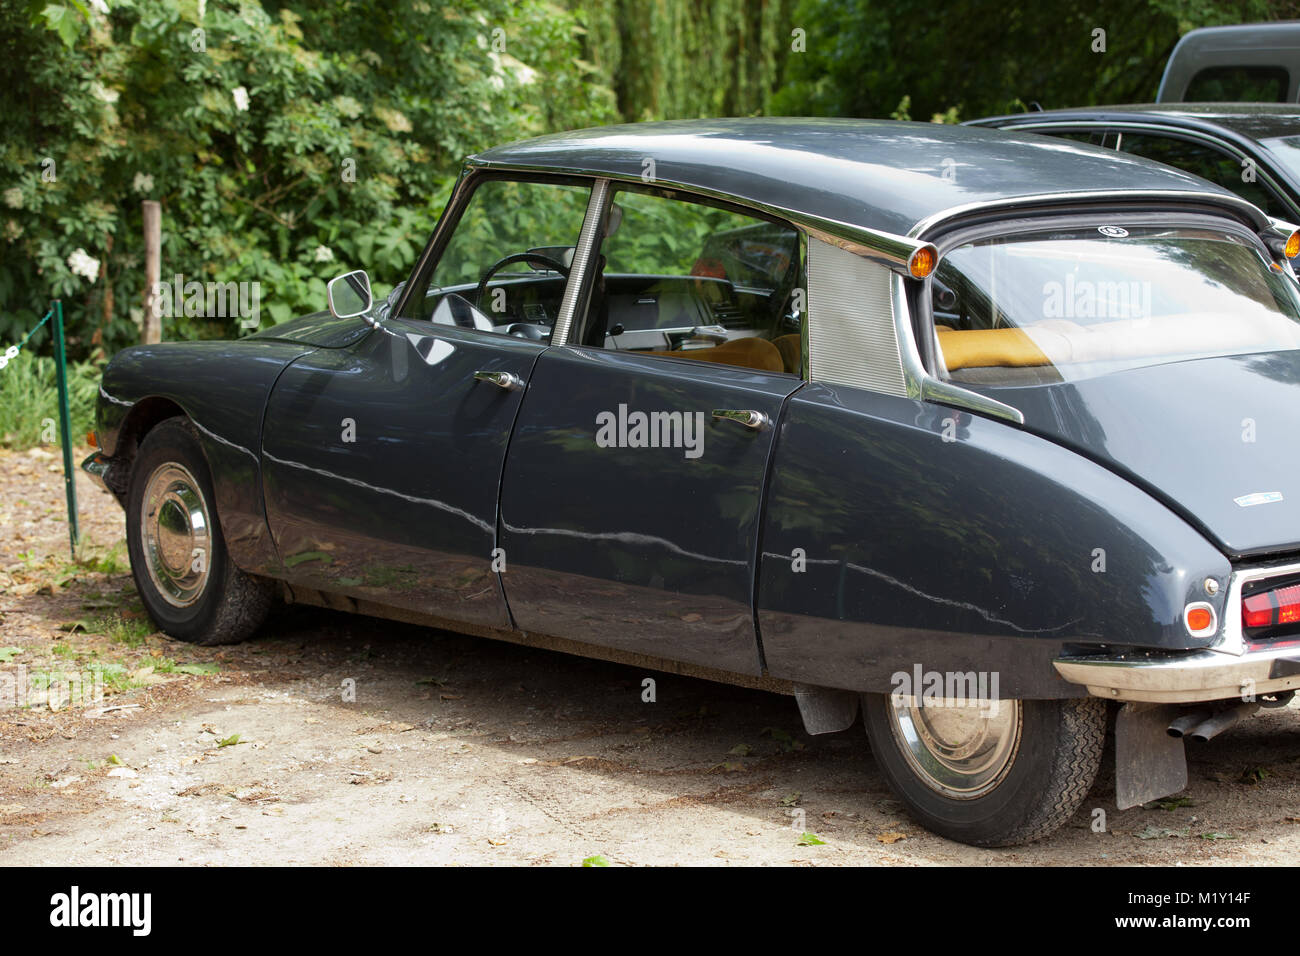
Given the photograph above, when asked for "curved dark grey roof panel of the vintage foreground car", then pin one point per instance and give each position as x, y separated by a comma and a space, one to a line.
873, 174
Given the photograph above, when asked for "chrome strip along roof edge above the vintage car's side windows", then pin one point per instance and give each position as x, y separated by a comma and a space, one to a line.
889, 249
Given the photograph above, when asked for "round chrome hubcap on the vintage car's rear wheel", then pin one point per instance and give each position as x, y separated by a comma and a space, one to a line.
960, 749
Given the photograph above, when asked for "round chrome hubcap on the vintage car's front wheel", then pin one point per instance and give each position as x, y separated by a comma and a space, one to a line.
176, 534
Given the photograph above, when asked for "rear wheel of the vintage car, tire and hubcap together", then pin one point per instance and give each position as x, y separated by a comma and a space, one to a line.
989, 773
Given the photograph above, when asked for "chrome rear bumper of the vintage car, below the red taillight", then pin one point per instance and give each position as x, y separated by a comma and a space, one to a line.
1202, 676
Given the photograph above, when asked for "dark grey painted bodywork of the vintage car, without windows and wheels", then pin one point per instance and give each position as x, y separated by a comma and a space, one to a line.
961, 555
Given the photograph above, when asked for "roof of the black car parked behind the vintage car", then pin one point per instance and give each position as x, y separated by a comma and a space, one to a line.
1249, 120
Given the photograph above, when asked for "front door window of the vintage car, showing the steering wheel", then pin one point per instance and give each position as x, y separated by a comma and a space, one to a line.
506, 265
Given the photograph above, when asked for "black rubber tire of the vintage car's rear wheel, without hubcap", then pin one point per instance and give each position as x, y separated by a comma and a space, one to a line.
1047, 778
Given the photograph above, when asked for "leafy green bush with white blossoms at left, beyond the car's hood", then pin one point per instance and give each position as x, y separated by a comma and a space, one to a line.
285, 142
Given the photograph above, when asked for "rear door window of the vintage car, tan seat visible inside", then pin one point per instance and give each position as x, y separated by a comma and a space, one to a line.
691, 280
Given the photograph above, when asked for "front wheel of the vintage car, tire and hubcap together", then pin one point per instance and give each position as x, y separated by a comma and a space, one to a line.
224, 605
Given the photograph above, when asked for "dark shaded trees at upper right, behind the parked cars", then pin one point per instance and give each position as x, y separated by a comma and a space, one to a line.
868, 58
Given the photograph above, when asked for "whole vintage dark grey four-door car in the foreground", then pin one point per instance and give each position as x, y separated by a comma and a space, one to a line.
935, 425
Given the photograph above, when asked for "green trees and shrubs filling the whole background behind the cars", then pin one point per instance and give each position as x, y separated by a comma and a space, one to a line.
289, 142
